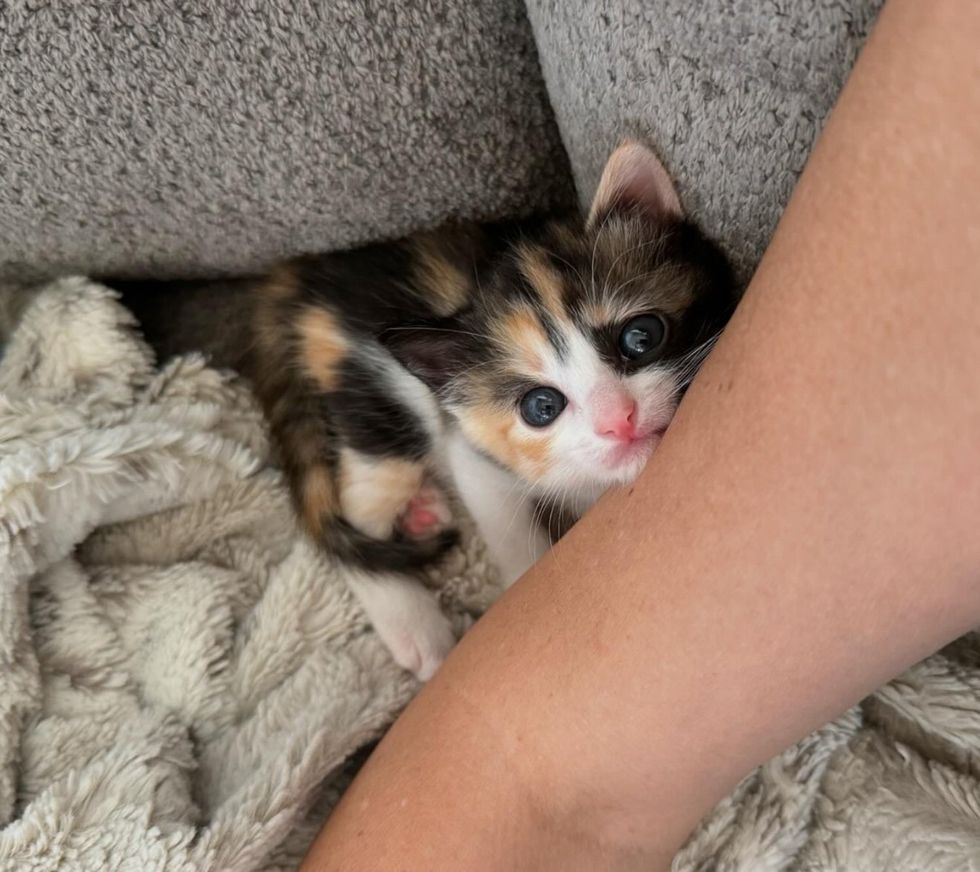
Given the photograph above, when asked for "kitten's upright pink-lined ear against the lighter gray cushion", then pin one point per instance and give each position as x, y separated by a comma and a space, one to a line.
635, 179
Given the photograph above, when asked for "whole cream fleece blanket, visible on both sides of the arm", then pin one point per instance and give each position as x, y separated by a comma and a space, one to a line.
184, 682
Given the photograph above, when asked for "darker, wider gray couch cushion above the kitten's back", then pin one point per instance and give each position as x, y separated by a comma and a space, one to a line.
154, 137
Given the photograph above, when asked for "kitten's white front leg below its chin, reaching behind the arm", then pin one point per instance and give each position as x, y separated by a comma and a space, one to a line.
502, 507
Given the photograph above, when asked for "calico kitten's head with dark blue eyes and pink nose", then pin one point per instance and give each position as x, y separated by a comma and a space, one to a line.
570, 363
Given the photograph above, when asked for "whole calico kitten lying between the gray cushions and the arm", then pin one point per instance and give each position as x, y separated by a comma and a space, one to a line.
532, 365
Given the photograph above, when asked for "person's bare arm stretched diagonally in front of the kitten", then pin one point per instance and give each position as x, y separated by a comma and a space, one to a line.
806, 530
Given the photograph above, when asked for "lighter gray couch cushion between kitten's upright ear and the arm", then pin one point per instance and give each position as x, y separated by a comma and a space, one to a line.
732, 92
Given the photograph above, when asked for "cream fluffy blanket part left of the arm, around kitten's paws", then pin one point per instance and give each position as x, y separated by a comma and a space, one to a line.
182, 677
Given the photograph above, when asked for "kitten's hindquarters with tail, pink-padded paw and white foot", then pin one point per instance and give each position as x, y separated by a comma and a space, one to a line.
354, 433
